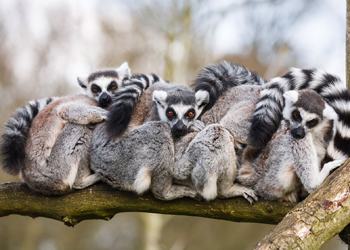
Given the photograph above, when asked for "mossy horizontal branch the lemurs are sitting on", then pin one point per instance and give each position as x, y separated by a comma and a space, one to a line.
103, 202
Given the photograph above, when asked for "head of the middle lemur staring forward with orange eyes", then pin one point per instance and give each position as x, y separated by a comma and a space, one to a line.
179, 106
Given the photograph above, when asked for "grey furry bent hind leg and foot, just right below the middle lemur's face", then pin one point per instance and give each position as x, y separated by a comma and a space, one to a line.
215, 168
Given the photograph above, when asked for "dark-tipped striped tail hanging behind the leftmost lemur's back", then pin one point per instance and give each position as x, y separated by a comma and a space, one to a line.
15, 133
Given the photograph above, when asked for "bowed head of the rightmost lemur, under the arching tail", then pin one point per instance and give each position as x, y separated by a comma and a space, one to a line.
306, 111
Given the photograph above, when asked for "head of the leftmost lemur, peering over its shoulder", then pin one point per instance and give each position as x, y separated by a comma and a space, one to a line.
102, 85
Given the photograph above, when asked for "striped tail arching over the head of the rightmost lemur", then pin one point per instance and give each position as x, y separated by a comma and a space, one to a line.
268, 112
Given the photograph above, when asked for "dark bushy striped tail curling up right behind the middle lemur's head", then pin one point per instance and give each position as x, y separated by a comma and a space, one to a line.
218, 78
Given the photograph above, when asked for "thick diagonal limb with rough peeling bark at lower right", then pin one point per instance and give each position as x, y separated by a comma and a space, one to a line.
317, 219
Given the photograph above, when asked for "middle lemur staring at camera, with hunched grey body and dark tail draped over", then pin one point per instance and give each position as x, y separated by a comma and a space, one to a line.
137, 152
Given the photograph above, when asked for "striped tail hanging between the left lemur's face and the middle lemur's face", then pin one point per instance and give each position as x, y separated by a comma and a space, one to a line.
124, 103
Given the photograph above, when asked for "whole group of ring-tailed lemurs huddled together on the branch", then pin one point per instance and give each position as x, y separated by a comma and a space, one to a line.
234, 135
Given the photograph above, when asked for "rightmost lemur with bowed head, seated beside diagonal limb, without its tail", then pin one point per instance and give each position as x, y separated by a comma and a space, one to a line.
291, 163
